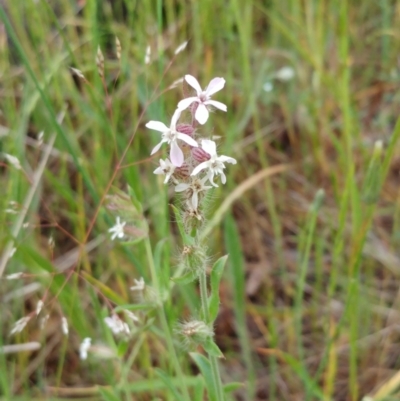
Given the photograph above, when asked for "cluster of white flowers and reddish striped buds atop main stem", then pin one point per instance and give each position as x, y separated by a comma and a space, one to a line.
193, 162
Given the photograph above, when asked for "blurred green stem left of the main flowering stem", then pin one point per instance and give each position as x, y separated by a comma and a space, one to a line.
164, 320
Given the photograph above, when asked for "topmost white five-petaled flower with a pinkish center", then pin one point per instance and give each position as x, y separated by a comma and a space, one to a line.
203, 98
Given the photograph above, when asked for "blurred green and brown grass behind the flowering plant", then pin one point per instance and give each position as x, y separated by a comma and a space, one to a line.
310, 299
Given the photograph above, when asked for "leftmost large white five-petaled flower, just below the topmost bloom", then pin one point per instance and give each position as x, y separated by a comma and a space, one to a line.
171, 136
